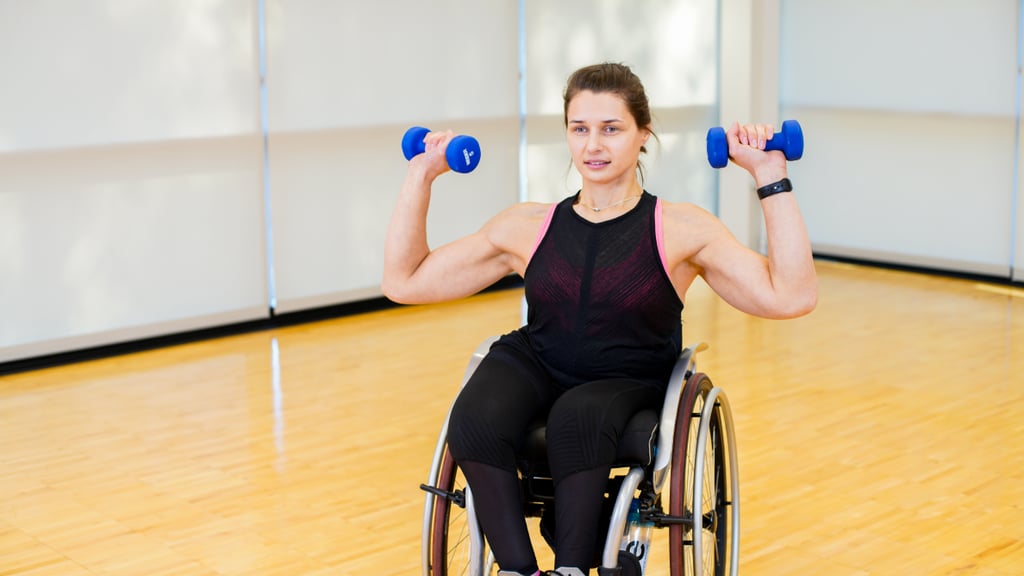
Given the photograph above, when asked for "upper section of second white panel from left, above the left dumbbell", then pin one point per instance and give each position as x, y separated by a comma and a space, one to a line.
351, 65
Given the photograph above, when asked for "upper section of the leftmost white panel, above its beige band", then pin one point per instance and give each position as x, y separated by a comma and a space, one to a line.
79, 74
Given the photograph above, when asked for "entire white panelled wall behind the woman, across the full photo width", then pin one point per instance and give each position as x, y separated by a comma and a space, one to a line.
133, 173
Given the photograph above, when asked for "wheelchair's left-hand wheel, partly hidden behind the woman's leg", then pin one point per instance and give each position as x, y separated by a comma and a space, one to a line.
456, 546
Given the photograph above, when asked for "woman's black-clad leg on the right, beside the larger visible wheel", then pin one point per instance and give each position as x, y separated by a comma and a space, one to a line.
584, 428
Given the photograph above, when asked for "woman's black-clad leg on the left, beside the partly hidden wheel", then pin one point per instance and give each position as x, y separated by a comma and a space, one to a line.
487, 428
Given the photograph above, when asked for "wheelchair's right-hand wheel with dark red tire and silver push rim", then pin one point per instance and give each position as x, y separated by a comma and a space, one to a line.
704, 466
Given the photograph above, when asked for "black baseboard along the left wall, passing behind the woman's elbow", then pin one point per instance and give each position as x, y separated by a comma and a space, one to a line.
273, 321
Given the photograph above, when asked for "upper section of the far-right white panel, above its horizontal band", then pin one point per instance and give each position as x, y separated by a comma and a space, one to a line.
920, 57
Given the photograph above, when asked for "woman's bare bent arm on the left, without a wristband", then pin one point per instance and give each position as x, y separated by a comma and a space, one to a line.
414, 273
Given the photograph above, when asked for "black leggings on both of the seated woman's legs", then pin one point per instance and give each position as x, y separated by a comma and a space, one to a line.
508, 391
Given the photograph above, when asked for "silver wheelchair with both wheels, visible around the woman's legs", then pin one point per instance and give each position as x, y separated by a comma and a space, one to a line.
684, 468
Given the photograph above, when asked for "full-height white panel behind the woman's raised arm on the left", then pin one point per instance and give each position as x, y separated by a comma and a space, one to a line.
346, 80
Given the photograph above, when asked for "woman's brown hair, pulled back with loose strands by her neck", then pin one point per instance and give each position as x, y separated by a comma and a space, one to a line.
617, 79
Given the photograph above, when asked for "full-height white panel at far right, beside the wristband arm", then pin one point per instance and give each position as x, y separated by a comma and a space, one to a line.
910, 113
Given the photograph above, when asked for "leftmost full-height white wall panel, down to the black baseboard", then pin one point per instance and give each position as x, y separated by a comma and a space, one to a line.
131, 178
